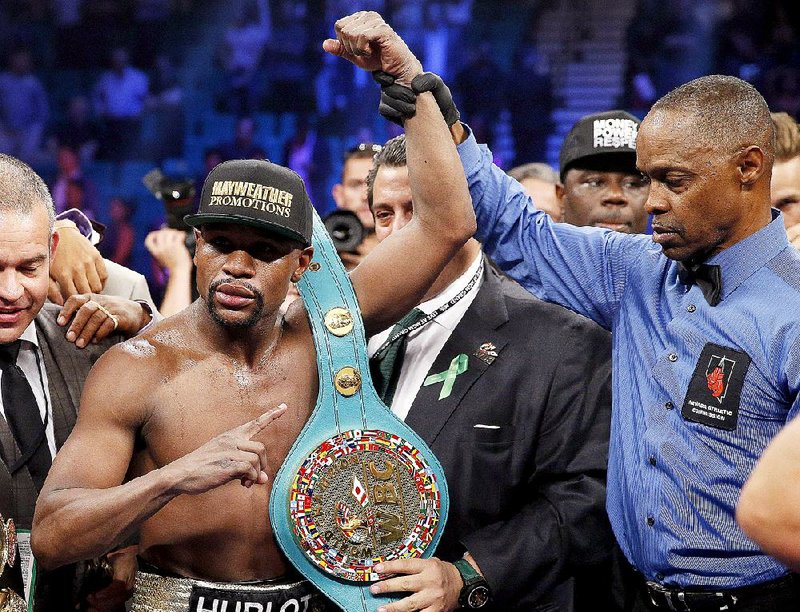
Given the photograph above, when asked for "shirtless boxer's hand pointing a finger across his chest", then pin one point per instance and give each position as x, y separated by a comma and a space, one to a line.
232, 455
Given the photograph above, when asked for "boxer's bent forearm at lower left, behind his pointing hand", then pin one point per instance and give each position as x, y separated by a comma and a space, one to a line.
75, 524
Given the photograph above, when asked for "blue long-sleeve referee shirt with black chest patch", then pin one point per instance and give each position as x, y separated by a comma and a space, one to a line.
698, 391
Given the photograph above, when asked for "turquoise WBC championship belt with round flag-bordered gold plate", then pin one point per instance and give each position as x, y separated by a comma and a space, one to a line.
358, 486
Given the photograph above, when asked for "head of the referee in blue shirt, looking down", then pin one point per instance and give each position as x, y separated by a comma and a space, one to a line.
708, 148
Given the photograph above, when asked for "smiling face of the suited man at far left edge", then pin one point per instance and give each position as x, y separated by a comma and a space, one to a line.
26, 248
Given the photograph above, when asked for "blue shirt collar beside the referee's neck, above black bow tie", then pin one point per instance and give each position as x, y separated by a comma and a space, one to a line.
739, 262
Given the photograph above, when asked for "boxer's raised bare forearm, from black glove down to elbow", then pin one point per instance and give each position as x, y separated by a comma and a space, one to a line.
438, 184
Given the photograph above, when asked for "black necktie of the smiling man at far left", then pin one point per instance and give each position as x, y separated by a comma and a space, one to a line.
22, 415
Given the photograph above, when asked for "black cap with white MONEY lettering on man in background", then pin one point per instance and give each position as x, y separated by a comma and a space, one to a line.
609, 133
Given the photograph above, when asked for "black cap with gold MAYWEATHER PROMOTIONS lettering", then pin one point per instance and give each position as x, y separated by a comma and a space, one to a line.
259, 194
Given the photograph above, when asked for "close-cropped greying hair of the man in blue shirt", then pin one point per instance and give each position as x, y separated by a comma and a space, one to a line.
725, 111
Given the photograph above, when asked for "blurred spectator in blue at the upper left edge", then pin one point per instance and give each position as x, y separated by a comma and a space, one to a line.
23, 108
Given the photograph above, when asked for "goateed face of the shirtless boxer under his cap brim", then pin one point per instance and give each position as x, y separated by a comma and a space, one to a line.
245, 273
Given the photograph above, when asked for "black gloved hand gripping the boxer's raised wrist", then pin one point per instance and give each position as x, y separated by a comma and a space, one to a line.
398, 103
